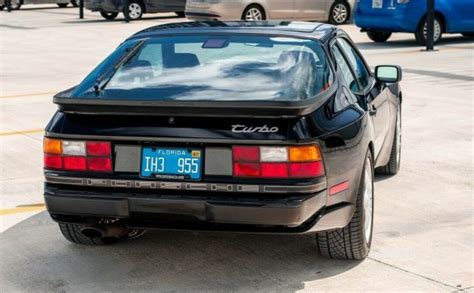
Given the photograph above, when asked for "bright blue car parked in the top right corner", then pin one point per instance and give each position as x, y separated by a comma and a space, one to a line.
380, 18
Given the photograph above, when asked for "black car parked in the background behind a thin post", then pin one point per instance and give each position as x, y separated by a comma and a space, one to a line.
109, 9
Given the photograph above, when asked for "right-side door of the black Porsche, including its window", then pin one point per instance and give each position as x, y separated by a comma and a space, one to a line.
364, 87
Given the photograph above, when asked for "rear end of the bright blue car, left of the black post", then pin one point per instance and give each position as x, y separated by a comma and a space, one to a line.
389, 15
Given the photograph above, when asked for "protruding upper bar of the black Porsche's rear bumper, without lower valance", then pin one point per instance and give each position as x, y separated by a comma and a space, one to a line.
290, 213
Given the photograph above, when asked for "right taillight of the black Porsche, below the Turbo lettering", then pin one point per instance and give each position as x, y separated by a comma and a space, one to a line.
277, 162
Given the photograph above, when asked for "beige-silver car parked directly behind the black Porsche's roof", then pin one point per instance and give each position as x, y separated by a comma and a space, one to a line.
333, 11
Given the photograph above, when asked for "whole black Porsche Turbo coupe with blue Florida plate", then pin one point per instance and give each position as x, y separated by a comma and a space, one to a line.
261, 127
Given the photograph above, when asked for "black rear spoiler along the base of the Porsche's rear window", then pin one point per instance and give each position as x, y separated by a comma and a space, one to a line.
283, 109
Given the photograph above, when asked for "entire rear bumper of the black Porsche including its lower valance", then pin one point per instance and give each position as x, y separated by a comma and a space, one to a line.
293, 214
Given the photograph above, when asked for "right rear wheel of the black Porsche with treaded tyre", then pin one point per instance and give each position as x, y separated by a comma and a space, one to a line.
354, 240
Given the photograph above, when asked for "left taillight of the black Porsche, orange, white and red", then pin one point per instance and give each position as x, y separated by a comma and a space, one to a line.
72, 155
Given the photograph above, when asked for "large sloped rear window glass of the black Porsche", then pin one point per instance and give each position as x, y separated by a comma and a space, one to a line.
212, 68
